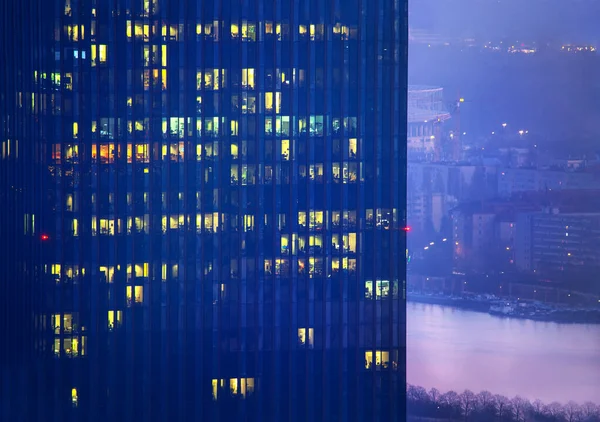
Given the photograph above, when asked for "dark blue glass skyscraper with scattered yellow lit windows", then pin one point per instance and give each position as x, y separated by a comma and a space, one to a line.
208, 199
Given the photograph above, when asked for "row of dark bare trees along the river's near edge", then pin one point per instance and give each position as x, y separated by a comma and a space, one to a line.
486, 406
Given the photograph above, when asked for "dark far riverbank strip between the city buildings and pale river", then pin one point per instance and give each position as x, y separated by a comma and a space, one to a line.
506, 308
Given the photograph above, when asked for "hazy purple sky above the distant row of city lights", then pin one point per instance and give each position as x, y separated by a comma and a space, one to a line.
541, 20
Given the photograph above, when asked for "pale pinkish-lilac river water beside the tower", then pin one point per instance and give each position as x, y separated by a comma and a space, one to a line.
452, 349
